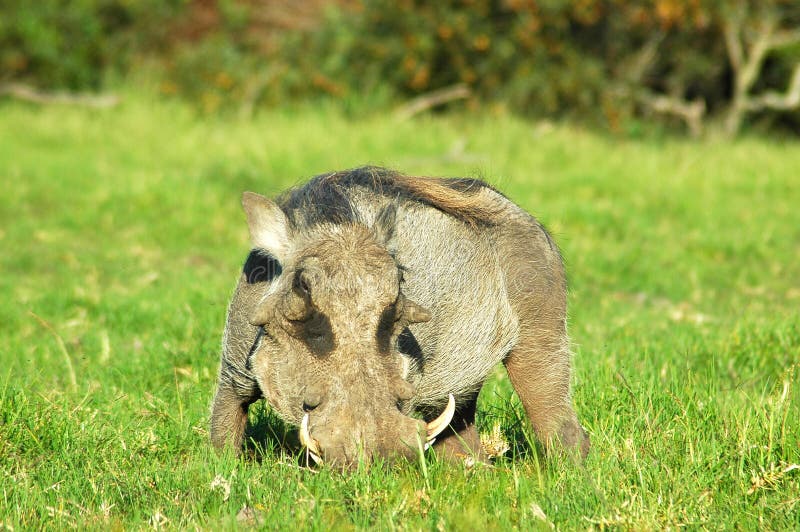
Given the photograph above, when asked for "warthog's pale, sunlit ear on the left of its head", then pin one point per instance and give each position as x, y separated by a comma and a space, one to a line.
269, 227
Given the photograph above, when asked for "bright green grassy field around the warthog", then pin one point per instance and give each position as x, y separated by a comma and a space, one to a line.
121, 237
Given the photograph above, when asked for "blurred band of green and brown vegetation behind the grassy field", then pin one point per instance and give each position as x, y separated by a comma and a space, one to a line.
683, 65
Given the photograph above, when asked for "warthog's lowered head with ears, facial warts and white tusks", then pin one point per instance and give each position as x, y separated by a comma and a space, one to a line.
326, 354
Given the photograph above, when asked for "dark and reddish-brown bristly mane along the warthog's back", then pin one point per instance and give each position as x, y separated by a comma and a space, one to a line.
327, 197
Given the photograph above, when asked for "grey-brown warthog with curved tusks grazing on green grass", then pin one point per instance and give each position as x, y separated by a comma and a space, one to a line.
373, 306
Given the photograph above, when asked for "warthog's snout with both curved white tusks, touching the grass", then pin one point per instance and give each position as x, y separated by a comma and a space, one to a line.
347, 444
